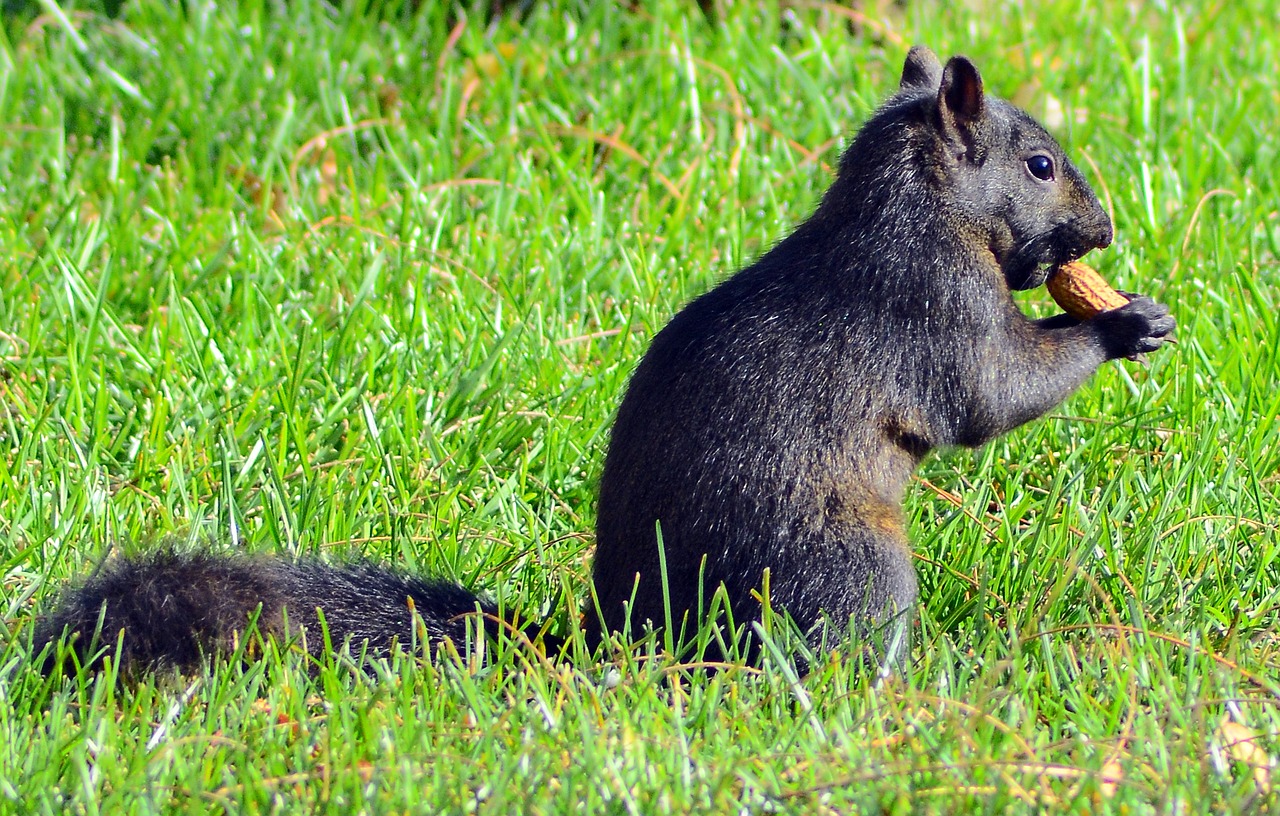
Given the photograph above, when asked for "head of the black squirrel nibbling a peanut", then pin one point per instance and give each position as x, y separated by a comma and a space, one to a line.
993, 175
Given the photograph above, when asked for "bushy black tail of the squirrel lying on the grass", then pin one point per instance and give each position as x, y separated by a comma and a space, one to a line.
176, 609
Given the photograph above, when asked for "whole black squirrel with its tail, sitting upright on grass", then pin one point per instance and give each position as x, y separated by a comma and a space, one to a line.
774, 424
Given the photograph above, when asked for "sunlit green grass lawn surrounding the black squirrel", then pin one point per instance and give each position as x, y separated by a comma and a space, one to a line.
369, 282
